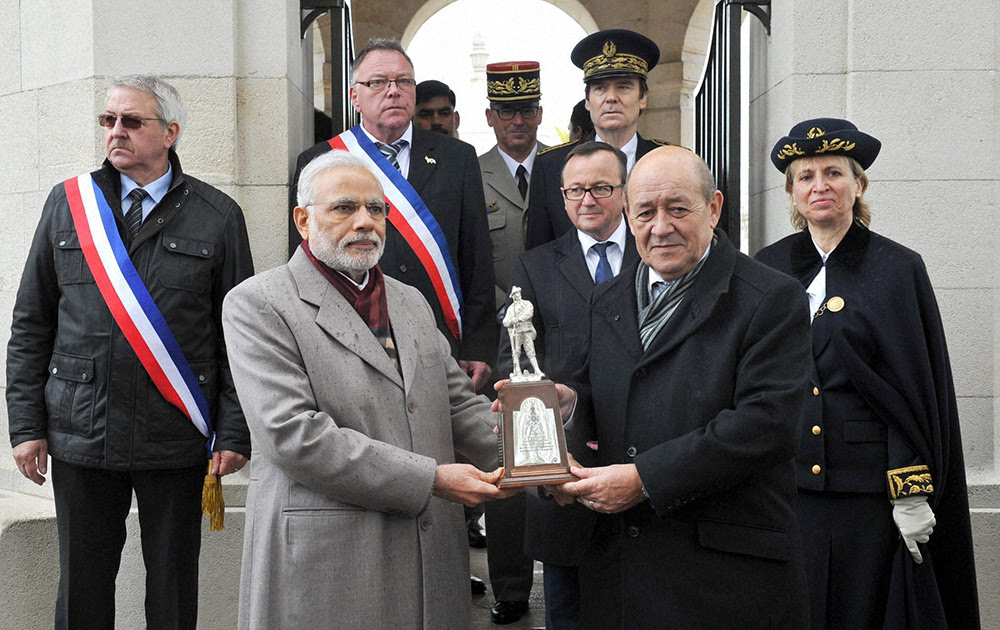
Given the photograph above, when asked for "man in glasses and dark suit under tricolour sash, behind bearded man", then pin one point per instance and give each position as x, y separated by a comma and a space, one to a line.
444, 172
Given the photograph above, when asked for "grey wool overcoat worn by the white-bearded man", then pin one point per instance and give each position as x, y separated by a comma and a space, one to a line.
345, 451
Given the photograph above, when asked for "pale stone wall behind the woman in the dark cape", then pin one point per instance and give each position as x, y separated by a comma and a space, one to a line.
925, 82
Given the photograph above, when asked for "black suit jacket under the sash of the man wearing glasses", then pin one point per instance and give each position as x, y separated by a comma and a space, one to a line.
445, 173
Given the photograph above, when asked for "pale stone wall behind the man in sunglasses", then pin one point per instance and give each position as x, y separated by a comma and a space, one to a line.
245, 76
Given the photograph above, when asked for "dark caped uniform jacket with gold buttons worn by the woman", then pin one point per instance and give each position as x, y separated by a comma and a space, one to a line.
883, 398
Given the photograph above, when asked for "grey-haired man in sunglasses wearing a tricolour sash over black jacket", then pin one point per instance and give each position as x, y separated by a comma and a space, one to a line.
116, 365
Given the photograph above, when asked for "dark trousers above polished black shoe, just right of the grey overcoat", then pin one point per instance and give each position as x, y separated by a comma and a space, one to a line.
510, 568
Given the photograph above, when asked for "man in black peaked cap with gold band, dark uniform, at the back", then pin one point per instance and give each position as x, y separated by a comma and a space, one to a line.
615, 64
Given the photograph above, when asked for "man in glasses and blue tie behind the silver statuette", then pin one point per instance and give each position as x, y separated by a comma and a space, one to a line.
558, 278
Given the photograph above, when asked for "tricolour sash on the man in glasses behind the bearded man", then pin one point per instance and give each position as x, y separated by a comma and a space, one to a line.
414, 222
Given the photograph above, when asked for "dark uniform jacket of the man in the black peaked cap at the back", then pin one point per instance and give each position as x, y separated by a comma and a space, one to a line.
547, 218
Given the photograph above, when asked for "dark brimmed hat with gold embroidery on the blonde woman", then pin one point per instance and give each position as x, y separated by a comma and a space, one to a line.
825, 136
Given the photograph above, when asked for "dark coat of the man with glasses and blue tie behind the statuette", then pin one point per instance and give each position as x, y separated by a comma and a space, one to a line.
555, 278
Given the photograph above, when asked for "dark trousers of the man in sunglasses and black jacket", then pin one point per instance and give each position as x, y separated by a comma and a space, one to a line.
91, 507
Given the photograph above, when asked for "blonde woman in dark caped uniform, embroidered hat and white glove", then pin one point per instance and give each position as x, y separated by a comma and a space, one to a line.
882, 495
